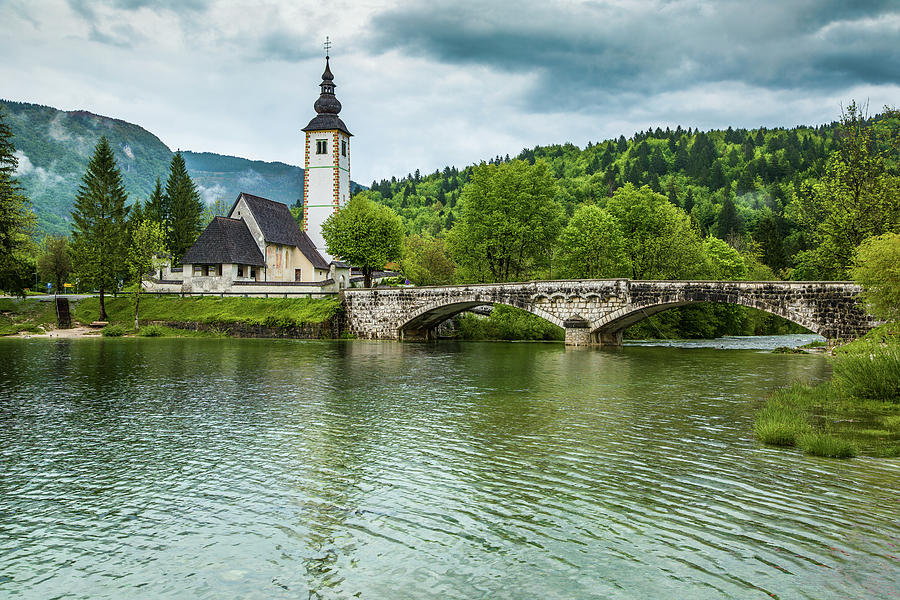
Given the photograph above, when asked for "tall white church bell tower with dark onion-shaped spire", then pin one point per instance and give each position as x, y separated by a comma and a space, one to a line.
326, 176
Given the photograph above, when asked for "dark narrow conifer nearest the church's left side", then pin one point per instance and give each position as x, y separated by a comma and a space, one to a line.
185, 206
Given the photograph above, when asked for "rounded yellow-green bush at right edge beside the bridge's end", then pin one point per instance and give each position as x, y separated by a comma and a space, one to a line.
876, 268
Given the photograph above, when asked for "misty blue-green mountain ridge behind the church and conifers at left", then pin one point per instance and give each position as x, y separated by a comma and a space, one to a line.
54, 147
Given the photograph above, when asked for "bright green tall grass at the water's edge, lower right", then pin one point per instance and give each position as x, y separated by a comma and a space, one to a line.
856, 412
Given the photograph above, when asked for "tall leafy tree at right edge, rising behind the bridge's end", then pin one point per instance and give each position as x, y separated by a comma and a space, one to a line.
856, 199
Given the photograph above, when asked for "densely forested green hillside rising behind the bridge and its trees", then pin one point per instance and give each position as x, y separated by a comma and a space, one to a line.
736, 184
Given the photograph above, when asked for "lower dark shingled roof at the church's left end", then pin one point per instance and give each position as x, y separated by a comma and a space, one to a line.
225, 241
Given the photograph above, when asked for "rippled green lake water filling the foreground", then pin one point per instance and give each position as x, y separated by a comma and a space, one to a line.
223, 468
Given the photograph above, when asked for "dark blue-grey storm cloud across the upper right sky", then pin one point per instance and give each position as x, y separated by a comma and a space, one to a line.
600, 52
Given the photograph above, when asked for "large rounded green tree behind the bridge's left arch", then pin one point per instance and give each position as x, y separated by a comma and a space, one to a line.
508, 219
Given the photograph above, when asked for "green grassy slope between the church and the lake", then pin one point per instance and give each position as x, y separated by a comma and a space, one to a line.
263, 312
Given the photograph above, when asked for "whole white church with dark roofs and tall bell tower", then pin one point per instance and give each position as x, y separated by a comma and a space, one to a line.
258, 247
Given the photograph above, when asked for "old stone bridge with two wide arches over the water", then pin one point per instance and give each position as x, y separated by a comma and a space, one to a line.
598, 311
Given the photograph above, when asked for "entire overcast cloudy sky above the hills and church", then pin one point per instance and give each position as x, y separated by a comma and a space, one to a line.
427, 84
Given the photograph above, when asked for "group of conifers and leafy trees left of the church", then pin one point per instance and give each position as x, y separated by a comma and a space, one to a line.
113, 244
